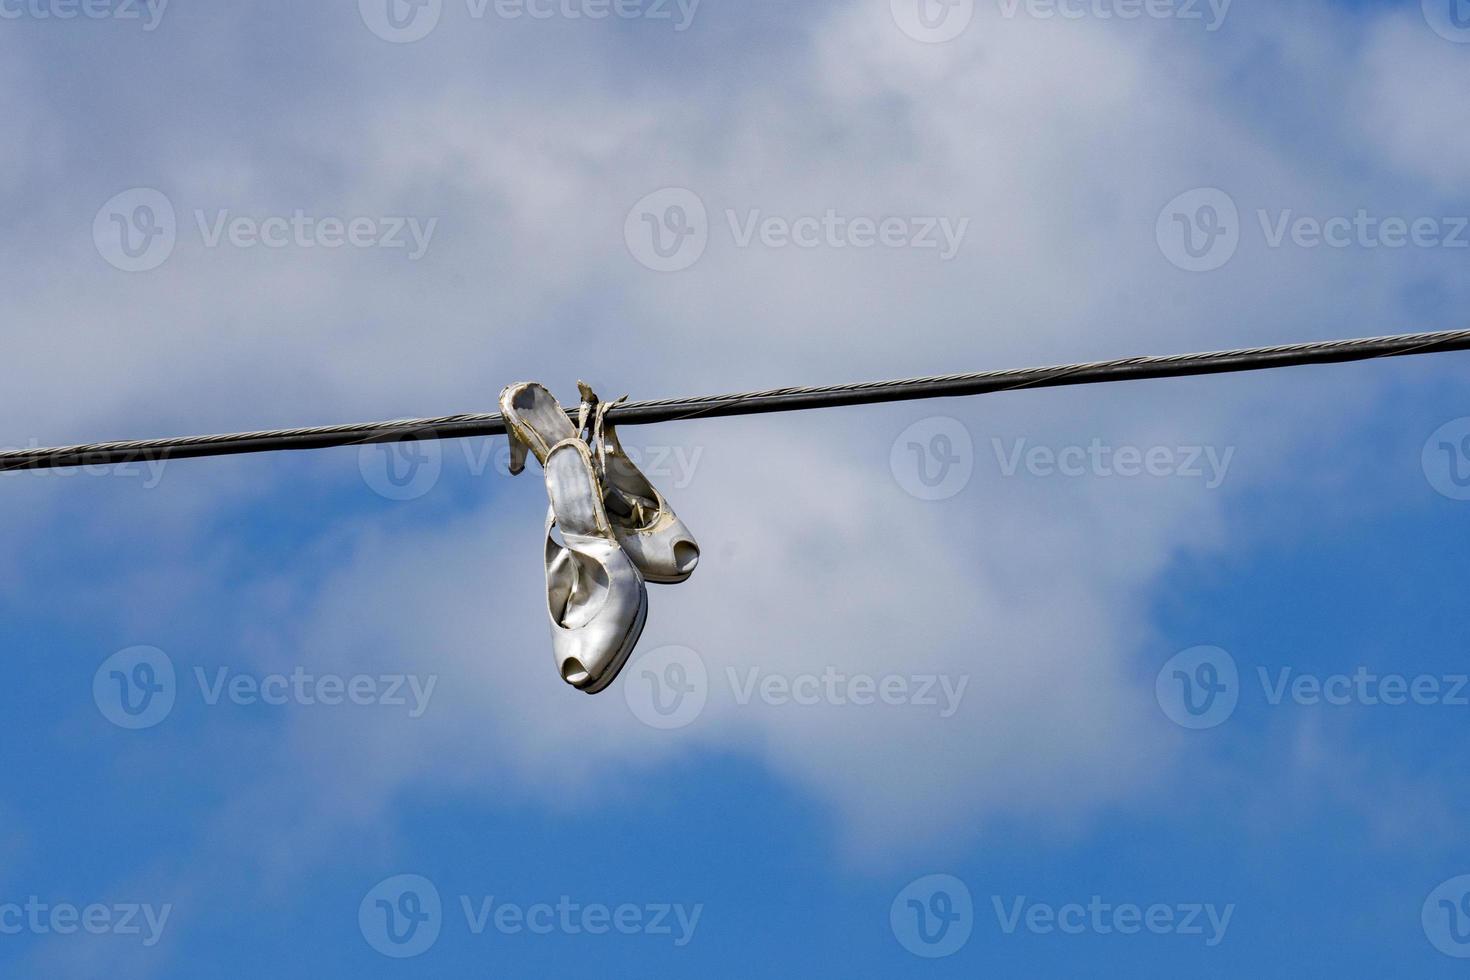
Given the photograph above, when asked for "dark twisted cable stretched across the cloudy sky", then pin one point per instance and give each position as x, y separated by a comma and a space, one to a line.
752, 403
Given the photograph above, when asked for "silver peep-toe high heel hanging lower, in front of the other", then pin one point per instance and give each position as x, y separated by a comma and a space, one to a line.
596, 596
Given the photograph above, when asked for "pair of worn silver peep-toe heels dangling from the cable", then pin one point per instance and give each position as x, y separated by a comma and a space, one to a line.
617, 533
